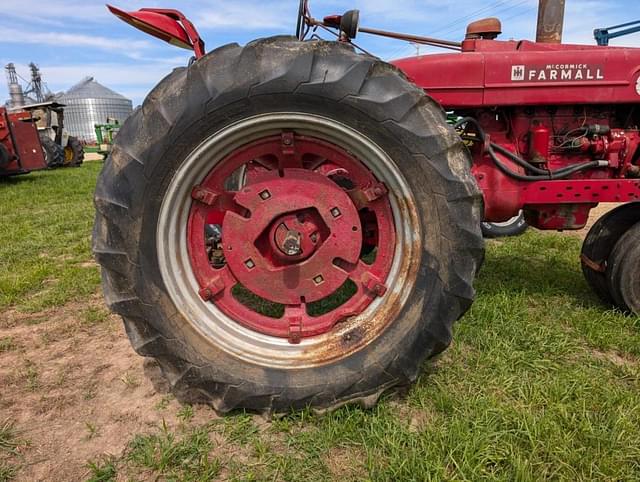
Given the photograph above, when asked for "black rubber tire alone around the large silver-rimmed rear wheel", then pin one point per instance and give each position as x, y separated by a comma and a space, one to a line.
281, 76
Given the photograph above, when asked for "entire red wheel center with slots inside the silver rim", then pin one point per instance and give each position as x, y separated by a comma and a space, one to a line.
286, 219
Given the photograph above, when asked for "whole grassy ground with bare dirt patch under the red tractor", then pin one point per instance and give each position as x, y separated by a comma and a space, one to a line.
542, 382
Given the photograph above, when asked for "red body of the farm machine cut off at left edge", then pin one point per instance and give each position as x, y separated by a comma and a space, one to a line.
20, 148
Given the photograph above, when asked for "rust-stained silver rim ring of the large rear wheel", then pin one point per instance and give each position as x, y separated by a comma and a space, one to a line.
221, 330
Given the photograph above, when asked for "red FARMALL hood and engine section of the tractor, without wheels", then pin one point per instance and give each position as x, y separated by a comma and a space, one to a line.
554, 105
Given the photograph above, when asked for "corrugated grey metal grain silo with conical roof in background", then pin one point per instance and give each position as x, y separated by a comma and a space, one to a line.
89, 103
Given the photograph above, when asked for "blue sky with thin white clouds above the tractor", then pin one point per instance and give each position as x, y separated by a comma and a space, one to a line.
72, 39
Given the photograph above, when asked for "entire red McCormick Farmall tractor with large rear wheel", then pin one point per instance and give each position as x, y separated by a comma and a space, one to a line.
294, 223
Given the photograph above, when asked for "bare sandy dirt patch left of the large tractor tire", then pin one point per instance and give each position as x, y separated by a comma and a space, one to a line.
76, 390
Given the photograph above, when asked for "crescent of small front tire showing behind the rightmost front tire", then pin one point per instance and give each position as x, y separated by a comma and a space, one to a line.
600, 242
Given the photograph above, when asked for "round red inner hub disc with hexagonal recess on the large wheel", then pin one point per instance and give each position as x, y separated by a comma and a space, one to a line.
272, 252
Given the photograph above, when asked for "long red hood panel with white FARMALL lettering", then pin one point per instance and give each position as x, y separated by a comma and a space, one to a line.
502, 73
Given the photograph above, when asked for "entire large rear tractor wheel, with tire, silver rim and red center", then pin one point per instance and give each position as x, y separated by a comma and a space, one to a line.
288, 224
